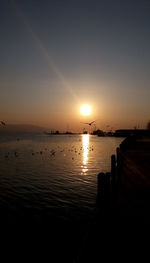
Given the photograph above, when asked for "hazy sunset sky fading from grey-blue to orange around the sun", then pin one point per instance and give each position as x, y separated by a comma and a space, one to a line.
57, 55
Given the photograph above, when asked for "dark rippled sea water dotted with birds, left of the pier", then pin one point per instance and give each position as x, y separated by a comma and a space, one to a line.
45, 176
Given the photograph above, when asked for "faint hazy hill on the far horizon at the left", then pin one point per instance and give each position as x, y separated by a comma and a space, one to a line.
22, 128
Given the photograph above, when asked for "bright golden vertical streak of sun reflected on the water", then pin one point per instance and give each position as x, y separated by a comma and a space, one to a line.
85, 146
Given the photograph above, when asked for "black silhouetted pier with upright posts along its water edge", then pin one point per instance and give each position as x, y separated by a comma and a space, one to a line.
123, 205
